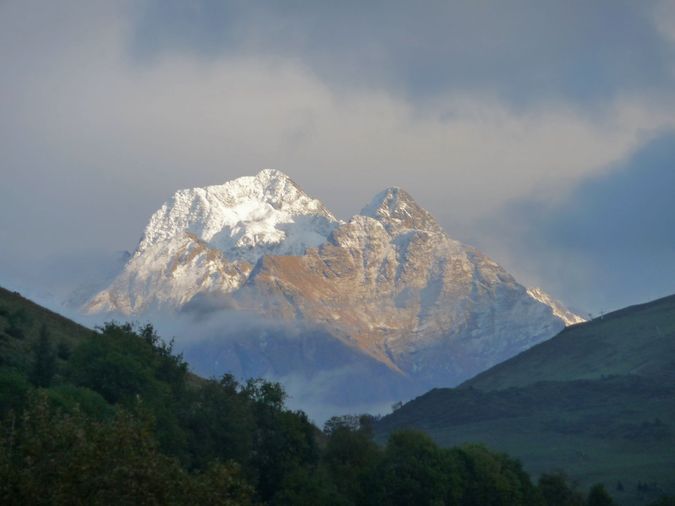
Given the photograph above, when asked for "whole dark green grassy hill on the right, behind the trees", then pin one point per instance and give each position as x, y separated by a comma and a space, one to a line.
597, 401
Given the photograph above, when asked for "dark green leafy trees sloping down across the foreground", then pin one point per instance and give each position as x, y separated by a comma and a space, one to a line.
118, 419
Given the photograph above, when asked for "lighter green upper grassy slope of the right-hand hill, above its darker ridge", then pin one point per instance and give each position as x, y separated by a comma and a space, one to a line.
635, 340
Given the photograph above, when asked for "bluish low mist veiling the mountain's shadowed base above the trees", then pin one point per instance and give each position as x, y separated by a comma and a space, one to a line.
322, 375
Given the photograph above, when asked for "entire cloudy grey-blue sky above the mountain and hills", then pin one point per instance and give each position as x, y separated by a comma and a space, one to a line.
542, 132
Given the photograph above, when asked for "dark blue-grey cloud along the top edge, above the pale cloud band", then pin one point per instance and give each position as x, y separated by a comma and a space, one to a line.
522, 50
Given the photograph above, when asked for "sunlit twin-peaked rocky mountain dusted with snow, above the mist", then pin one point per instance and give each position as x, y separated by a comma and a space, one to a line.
389, 284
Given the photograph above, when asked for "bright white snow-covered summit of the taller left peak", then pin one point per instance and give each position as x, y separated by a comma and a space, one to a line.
244, 218
